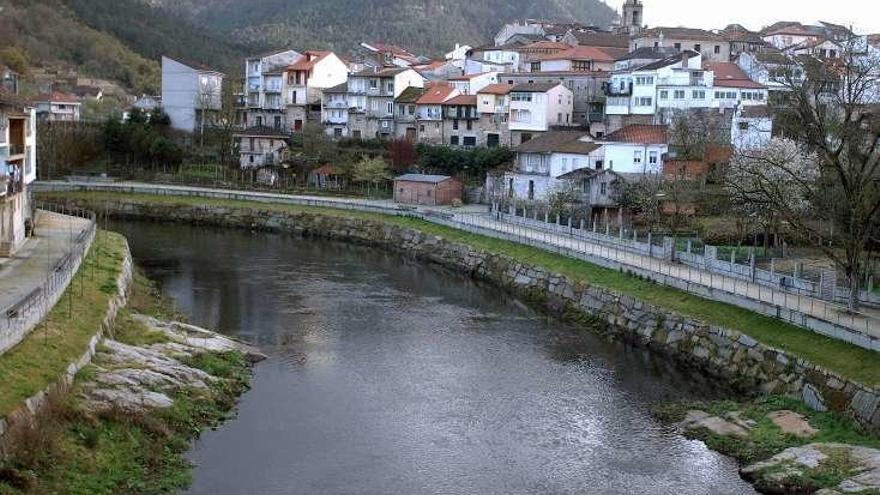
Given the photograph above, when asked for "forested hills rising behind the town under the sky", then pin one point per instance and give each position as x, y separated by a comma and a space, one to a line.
122, 40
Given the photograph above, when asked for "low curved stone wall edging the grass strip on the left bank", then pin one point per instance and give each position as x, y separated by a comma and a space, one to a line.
31, 406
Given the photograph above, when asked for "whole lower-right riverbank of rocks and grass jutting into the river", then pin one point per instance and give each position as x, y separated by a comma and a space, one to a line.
784, 447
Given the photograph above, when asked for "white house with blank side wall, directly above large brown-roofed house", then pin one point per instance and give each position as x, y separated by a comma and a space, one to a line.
535, 108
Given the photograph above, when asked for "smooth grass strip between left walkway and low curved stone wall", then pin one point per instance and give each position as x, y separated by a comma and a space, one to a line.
43, 356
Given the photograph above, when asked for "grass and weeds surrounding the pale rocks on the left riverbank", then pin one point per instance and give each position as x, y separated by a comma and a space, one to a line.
77, 451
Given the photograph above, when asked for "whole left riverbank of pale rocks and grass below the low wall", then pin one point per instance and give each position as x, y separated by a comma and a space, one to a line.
127, 419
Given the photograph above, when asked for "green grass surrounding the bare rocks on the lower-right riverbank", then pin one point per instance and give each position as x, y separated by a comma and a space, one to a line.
766, 439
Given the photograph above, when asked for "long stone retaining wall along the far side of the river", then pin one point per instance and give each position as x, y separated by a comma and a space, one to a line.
719, 352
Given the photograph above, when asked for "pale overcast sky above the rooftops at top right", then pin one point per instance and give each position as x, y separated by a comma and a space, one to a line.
863, 15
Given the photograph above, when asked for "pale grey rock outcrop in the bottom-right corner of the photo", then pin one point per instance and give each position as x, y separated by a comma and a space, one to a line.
785, 471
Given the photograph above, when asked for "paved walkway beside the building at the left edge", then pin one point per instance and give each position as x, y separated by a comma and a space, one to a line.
28, 268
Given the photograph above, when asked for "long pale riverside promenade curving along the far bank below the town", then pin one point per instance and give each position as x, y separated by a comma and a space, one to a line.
825, 317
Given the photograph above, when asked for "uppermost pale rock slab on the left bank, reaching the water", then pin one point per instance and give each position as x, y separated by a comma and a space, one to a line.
187, 339
